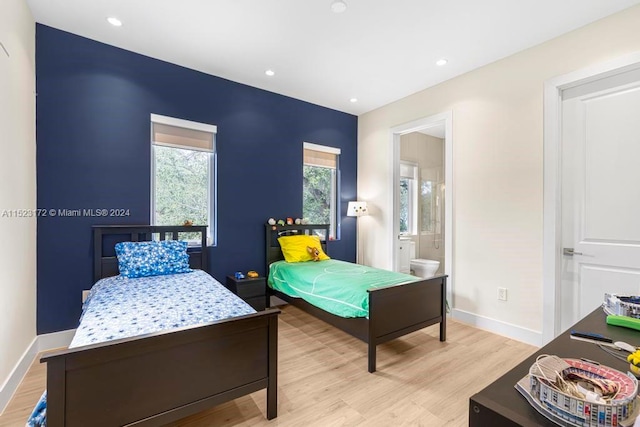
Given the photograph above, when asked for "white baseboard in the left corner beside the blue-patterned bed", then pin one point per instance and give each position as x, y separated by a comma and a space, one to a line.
40, 343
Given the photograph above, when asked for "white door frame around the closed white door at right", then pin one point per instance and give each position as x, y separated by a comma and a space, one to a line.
552, 219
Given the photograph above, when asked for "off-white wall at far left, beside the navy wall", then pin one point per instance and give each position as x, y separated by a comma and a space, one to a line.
17, 186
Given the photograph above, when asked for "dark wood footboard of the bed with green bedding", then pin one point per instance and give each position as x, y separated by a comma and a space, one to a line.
398, 310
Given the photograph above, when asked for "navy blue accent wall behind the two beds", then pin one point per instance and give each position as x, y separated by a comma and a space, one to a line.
93, 151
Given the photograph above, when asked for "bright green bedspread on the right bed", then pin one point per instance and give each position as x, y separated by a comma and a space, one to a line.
335, 286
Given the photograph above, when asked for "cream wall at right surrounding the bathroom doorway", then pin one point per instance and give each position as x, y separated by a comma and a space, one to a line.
498, 169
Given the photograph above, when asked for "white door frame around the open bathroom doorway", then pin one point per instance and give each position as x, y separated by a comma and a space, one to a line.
446, 119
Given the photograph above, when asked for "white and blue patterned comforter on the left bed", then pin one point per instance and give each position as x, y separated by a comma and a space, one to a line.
118, 307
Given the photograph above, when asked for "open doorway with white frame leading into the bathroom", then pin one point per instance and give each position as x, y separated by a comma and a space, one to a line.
422, 194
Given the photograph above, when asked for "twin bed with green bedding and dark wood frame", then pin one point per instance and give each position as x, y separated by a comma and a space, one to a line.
373, 305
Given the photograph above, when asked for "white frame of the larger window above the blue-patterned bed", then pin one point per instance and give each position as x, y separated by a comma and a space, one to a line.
211, 168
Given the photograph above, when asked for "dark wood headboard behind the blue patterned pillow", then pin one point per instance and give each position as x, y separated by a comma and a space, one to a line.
105, 263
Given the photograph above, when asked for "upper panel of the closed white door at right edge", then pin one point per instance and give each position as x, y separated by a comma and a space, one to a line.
612, 172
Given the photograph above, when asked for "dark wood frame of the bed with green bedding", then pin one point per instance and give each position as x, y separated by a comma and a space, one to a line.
394, 311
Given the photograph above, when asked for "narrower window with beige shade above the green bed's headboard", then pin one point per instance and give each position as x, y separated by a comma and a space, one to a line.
320, 175
